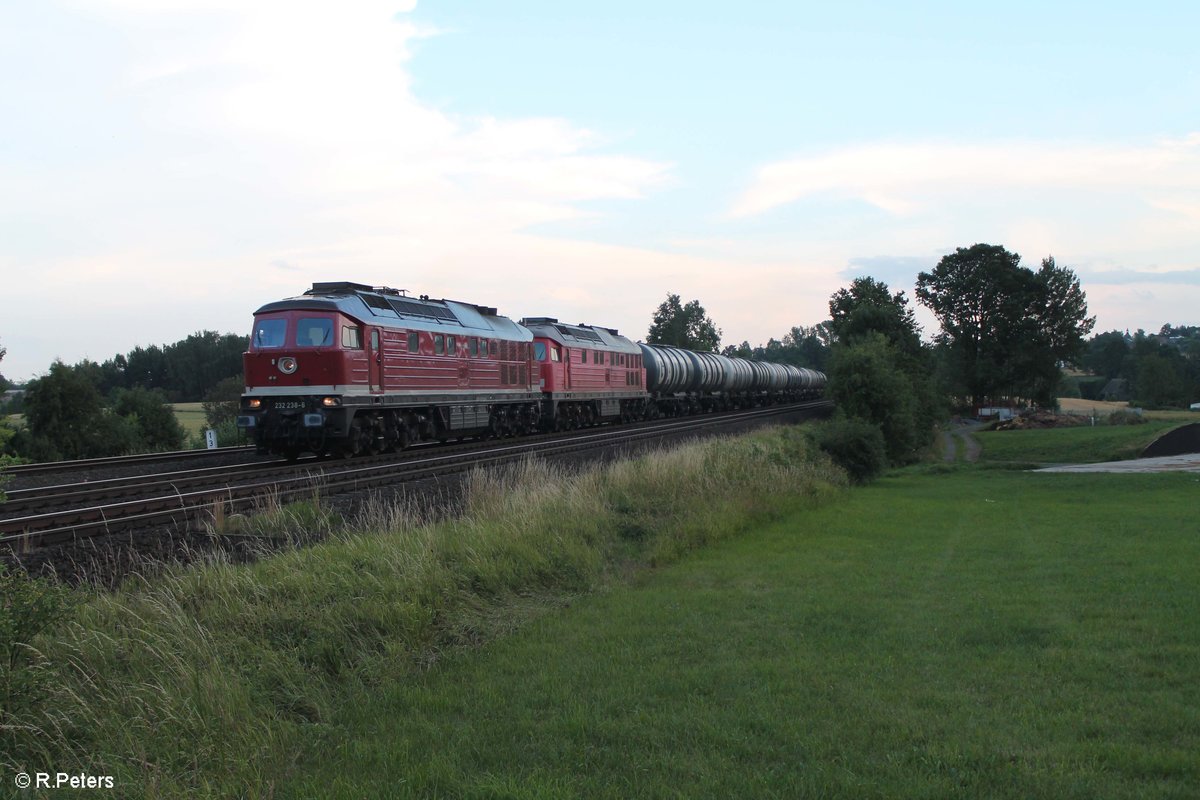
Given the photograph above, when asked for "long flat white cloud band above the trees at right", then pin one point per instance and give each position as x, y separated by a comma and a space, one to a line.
904, 179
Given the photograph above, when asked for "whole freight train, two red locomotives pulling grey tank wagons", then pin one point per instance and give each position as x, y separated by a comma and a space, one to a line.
347, 369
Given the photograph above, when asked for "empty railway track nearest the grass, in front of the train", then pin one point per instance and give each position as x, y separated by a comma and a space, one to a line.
38, 519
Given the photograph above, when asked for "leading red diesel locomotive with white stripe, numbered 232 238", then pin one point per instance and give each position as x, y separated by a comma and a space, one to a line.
349, 369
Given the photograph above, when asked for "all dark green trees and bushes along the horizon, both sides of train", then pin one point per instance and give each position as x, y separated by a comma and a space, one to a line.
1006, 333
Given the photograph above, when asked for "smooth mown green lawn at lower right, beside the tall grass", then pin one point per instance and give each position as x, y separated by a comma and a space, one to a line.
957, 634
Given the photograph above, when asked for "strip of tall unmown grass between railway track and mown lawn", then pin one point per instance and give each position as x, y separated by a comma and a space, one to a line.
214, 681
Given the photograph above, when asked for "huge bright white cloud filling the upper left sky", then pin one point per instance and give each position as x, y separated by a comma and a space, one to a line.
209, 157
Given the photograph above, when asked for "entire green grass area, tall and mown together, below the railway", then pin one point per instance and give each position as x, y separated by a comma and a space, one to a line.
722, 621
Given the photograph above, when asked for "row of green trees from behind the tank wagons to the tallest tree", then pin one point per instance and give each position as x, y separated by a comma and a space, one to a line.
1006, 330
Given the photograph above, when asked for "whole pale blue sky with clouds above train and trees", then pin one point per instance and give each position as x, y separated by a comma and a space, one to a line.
169, 167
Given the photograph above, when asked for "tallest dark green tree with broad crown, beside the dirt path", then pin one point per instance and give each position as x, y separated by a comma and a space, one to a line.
1005, 327
